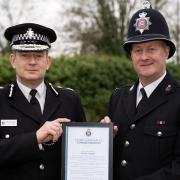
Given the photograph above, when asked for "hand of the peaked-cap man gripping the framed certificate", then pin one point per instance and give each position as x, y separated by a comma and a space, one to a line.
51, 130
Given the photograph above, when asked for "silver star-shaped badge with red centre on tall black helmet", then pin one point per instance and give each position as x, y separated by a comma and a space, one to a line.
142, 23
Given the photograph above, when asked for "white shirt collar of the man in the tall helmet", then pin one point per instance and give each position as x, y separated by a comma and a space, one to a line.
149, 88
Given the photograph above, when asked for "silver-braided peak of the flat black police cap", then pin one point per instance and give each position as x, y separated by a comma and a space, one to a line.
29, 47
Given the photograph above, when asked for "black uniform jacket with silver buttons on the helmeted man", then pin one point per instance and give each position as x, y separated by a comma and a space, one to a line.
147, 145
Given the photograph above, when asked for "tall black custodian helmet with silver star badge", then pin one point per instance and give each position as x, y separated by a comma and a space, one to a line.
147, 25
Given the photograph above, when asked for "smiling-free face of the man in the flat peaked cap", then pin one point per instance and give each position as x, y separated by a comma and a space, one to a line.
31, 66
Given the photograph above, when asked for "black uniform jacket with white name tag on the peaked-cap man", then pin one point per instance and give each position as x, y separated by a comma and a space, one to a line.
20, 156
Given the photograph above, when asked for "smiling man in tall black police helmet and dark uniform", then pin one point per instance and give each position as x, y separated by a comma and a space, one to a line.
146, 115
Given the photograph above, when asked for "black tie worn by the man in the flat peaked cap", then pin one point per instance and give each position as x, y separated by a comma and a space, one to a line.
35, 102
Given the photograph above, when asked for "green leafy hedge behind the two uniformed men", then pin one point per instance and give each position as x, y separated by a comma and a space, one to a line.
93, 77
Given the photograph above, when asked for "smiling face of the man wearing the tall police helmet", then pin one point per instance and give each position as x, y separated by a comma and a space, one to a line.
149, 59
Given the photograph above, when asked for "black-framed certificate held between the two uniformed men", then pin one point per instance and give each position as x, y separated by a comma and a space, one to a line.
87, 151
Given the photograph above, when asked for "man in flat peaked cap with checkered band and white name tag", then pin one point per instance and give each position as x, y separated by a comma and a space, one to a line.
32, 110
